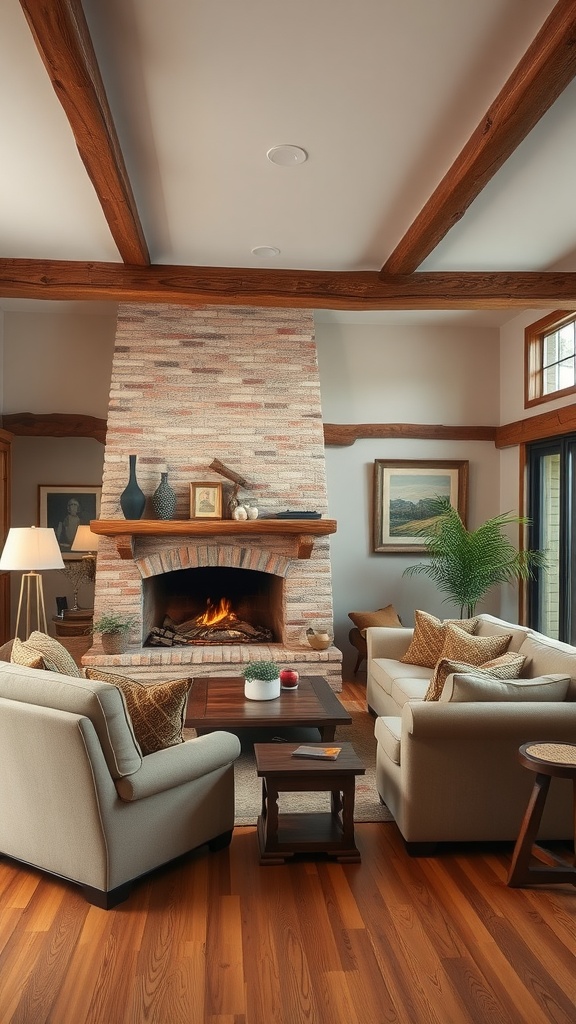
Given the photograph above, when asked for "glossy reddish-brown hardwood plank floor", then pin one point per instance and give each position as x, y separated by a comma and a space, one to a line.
217, 940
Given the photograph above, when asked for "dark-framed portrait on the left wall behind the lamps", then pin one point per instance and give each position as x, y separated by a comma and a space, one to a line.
65, 508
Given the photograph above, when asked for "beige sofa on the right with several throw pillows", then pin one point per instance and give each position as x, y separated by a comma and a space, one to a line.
448, 771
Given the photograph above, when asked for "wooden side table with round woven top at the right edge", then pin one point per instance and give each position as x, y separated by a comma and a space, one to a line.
549, 760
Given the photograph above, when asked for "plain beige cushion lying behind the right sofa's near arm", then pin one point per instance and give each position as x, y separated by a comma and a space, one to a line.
464, 688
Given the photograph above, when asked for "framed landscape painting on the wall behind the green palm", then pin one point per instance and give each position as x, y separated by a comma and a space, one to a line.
402, 492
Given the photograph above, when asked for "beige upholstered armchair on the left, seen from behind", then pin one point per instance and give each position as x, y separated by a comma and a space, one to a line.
79, 800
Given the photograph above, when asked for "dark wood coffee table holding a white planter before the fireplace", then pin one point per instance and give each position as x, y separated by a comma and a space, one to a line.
219, 703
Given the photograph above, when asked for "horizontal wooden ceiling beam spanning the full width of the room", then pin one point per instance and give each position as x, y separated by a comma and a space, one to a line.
362, 290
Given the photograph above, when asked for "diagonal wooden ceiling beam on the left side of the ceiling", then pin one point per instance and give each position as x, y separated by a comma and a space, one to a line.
63, 39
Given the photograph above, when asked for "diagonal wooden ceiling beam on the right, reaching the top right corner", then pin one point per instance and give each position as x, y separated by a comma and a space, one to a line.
546, 70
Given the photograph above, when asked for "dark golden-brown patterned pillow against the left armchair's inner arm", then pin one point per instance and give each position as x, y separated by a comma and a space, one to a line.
157, 711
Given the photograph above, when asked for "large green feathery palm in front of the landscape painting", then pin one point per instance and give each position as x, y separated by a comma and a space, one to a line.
465, 565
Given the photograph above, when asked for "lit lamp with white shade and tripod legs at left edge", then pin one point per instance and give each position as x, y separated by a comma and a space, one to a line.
30, 550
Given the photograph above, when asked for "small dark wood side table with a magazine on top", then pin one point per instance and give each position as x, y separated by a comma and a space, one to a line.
283, 836
